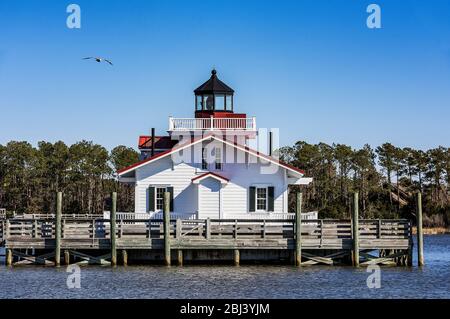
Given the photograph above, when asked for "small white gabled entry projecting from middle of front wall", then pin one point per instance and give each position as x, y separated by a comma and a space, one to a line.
209, 198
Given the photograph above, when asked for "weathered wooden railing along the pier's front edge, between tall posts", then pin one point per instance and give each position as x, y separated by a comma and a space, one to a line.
319, 233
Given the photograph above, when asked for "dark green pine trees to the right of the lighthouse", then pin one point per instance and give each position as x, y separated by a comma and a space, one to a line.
387, 179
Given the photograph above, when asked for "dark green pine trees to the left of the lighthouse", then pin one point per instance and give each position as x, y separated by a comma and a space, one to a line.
84, 172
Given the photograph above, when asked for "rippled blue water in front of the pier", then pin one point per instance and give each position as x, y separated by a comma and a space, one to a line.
432, 281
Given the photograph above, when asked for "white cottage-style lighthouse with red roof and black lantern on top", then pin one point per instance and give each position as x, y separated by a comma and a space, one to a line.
206, 164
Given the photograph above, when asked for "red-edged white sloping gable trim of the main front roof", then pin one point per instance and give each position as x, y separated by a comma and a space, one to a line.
194, 140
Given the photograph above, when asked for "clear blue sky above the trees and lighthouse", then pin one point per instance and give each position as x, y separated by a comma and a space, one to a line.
311, 68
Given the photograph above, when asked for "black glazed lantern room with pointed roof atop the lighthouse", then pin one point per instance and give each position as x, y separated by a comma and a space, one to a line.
214, 96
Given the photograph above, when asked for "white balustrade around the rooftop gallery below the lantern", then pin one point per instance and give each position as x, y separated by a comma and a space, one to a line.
193, 124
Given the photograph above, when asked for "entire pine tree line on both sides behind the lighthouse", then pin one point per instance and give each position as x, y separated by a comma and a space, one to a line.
386, 178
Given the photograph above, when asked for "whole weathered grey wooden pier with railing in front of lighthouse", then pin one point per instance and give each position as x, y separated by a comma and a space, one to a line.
308, 242
